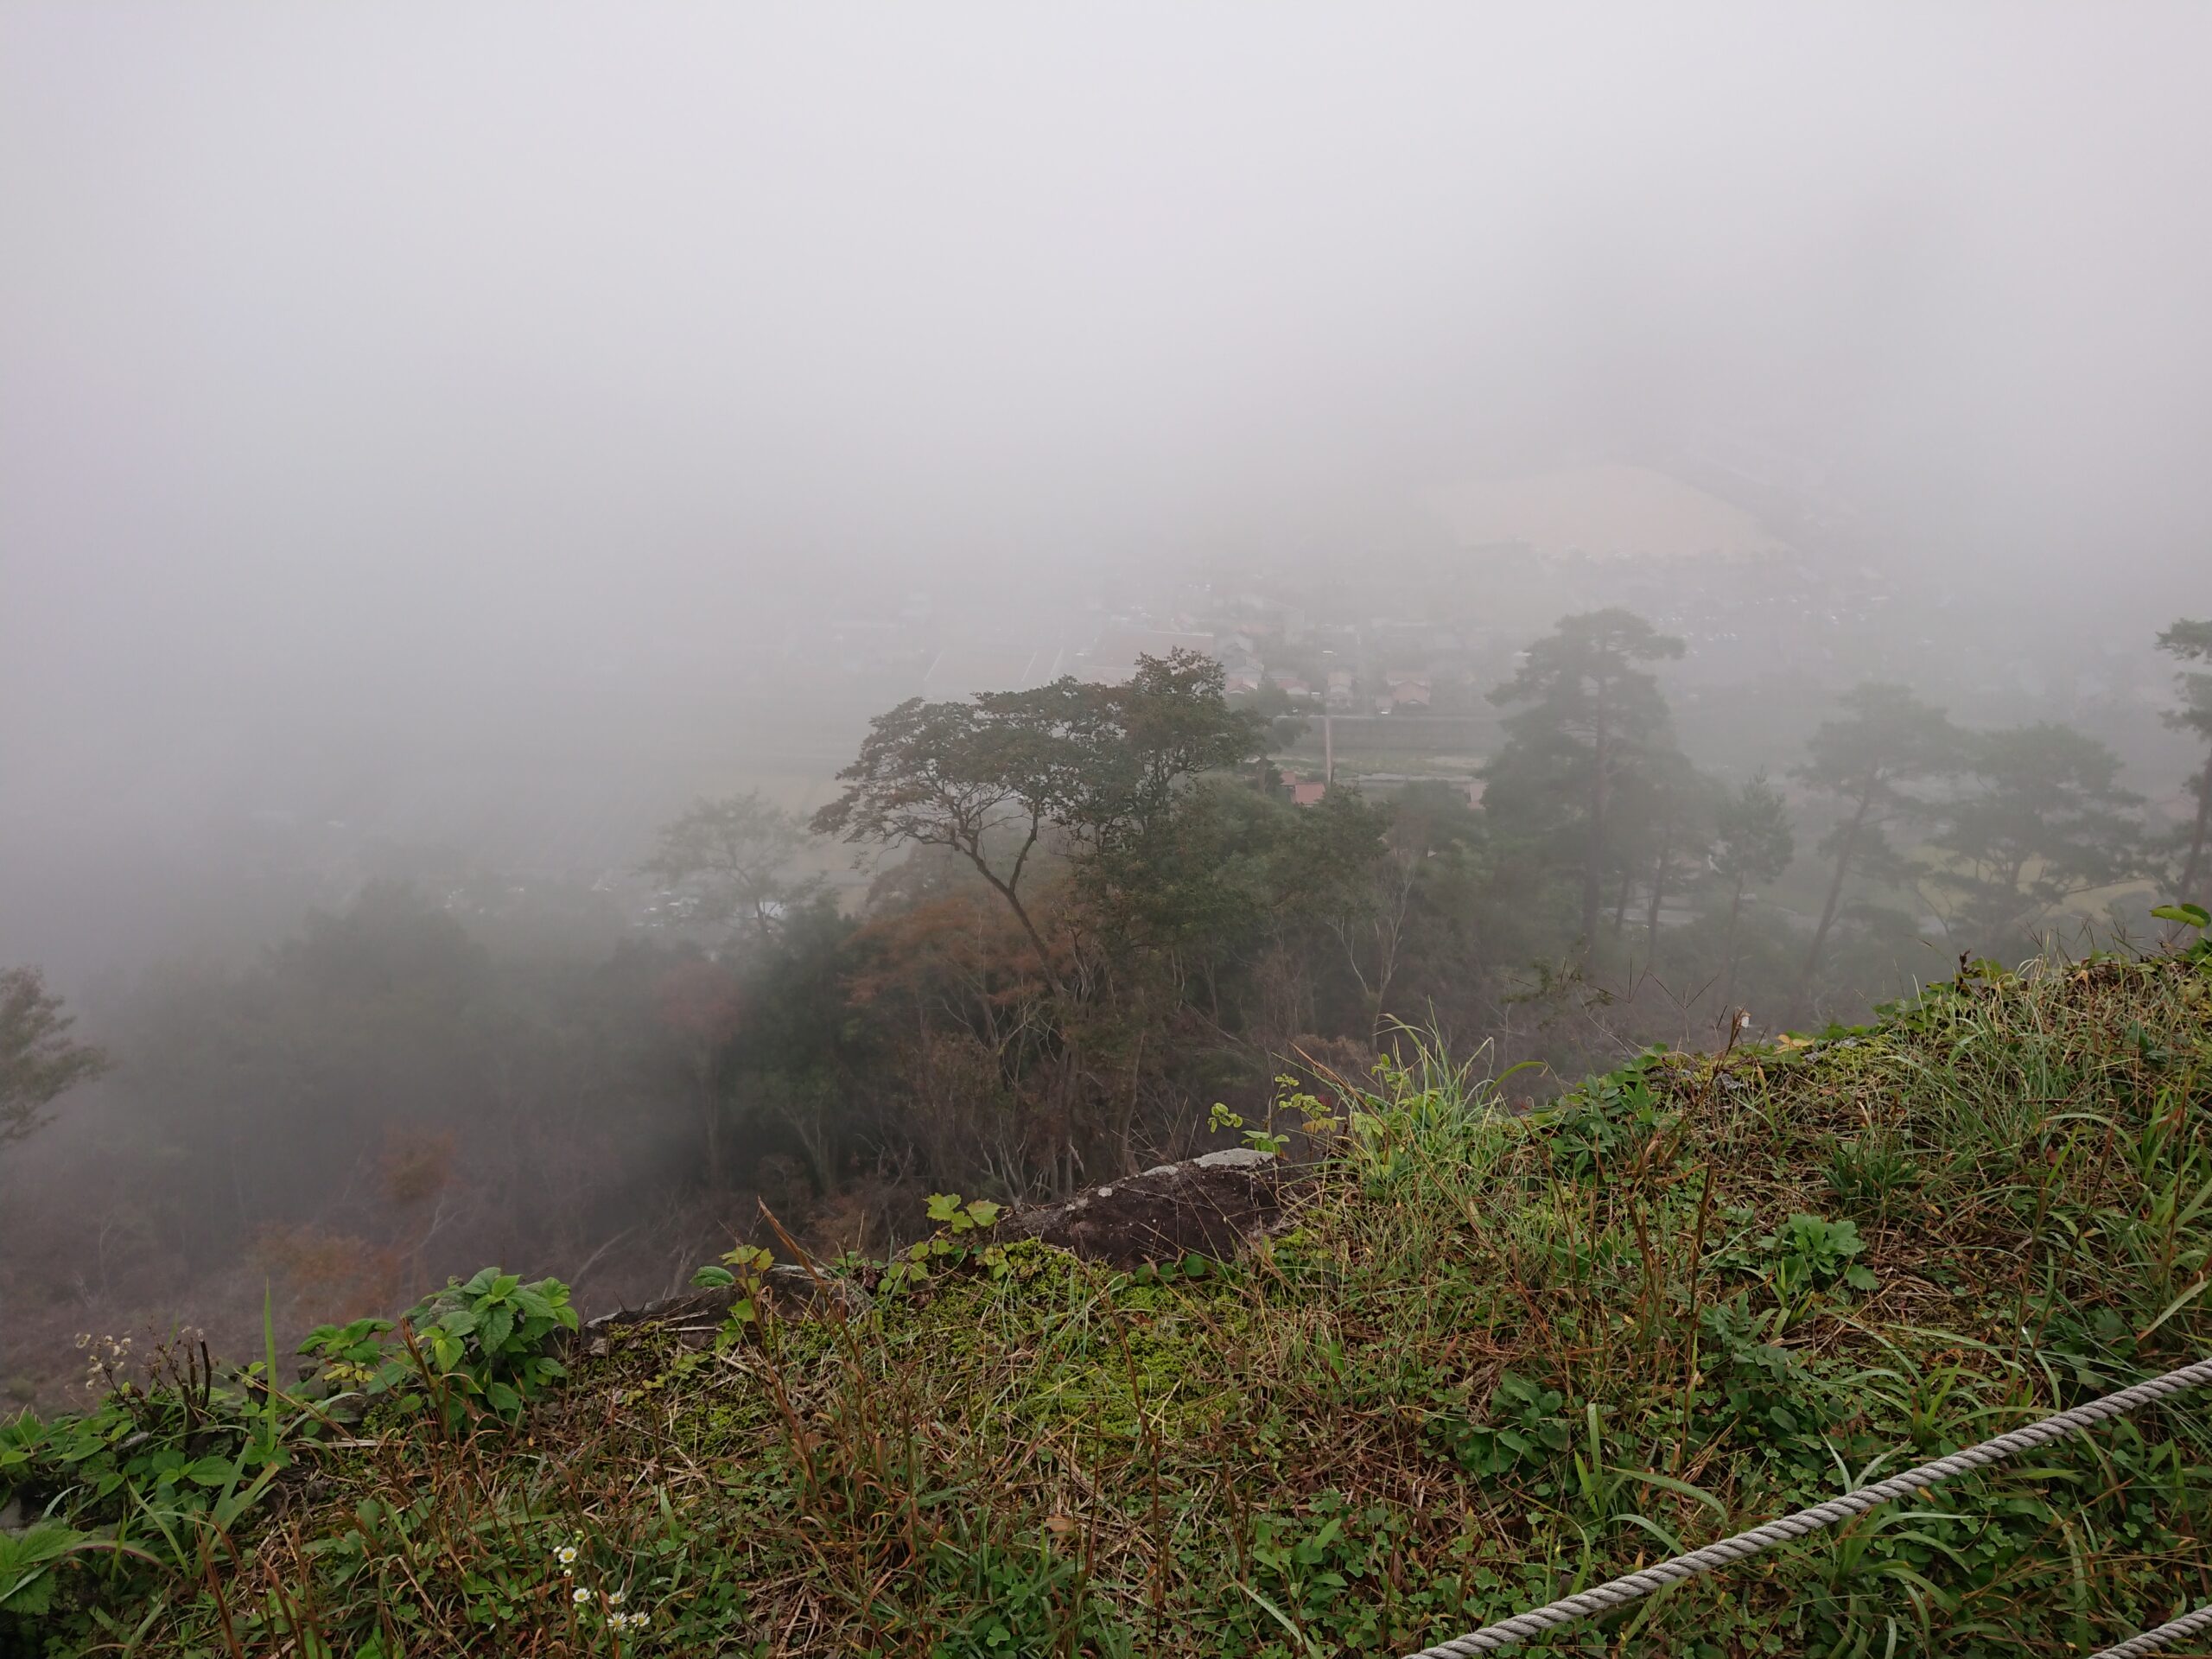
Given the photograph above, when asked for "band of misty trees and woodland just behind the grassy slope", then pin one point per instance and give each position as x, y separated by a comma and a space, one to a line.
1096, 912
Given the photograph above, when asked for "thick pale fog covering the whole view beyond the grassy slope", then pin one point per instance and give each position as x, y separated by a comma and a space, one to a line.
470, 479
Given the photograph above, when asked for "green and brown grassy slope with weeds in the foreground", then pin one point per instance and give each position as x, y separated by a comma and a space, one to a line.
1496, 1359
